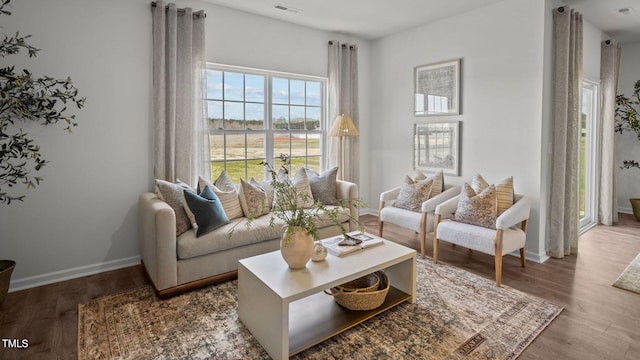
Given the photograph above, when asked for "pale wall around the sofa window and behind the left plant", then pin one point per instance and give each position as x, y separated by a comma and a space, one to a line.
82, 219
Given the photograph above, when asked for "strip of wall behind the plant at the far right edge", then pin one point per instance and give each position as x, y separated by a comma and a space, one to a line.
628, 145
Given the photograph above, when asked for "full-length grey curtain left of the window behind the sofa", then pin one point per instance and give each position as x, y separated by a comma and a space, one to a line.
180, 123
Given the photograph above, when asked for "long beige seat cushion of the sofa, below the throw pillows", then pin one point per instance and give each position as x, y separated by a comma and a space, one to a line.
238, 233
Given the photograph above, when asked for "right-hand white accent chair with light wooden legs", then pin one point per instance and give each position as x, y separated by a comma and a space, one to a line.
509, 235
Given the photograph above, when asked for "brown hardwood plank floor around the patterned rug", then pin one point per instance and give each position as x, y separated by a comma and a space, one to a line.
598, 320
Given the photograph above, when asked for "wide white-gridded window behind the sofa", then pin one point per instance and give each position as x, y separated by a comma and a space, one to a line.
256, 115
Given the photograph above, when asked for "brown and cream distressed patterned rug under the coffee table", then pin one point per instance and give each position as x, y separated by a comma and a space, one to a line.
457, 315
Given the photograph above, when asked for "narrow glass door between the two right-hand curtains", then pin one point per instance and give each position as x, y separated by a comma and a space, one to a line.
588, 155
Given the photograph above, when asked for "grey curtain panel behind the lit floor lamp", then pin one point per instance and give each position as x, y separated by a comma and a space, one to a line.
343, 99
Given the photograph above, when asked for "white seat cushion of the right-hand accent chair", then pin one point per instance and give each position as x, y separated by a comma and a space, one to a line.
480, 238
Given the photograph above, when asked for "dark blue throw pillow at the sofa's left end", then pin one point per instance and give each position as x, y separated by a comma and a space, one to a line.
207, 210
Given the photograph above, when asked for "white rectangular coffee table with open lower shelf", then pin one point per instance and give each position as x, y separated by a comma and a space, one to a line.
288, 312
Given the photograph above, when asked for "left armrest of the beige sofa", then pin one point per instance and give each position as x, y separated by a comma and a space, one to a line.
157, 240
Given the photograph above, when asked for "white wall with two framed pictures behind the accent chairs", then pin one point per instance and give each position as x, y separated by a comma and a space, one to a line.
502, 87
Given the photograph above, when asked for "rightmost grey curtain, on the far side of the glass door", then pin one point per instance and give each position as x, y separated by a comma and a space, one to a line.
609, 70
